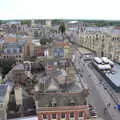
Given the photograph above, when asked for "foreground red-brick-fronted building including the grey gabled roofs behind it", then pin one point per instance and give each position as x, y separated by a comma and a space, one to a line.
62, 97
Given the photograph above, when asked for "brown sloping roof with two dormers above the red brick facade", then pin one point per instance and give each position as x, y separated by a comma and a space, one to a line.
61, 99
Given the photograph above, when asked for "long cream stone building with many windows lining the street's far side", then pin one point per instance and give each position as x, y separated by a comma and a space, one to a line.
101, 42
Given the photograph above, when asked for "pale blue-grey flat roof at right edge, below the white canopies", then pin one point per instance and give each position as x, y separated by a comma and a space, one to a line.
115, 78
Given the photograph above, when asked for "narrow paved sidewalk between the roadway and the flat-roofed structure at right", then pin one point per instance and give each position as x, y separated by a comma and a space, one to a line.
115, 114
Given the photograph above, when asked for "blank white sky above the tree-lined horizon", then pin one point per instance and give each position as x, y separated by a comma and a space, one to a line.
60, 9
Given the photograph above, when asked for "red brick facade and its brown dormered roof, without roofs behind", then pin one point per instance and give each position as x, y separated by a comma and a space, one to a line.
62, 106
